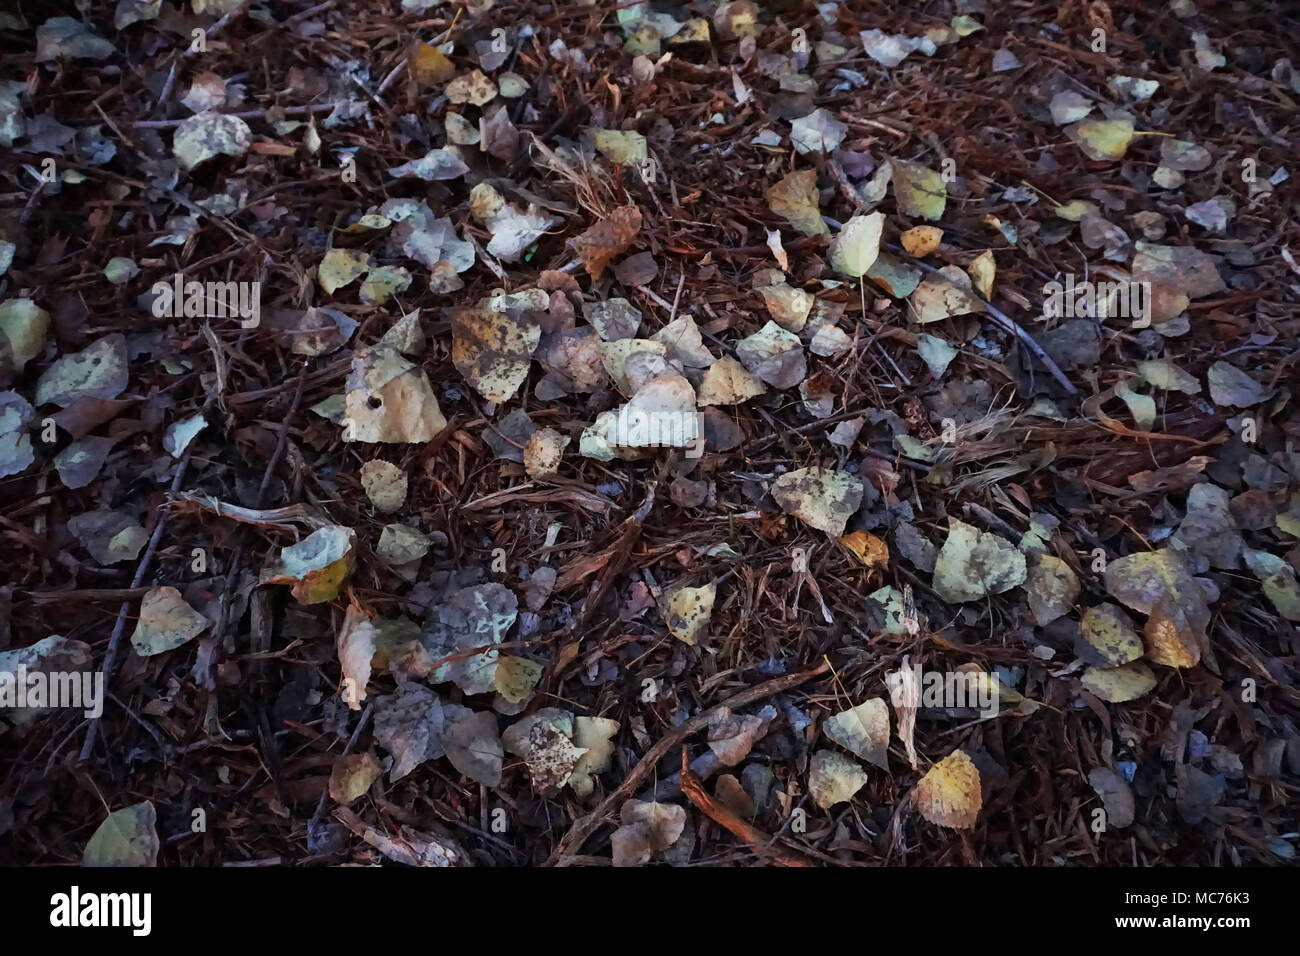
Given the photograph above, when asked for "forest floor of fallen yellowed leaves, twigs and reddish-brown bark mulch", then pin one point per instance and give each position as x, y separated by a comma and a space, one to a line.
686, 434
